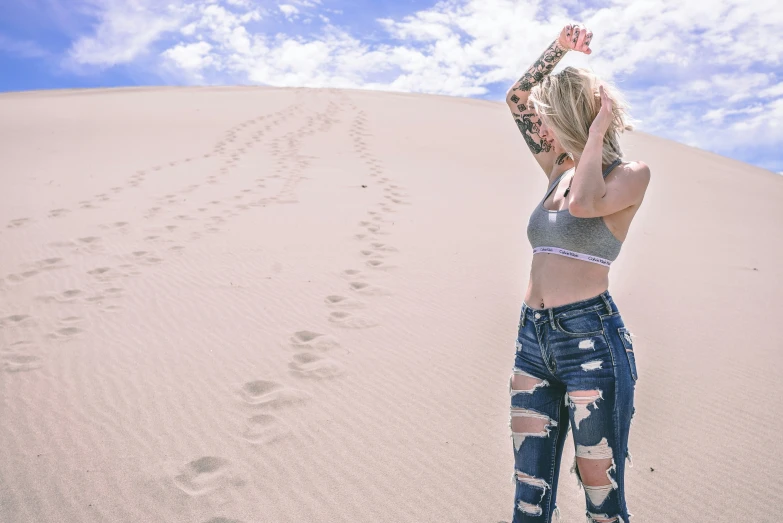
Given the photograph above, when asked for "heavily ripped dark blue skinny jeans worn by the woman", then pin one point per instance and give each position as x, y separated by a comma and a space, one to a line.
574, 368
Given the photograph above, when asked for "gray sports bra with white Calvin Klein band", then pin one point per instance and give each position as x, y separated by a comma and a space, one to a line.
559, 232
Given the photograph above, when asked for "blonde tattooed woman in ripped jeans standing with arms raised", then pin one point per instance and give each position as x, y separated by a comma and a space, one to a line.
574, 365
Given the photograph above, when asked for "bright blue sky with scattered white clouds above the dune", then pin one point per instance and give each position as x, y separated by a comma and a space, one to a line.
707, 73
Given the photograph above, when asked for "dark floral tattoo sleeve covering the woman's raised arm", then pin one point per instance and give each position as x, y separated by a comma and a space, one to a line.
526, 120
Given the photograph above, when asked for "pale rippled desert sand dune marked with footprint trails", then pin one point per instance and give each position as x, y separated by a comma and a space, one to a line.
257, 304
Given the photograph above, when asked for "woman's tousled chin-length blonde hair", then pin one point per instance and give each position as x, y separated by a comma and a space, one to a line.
569, 101
